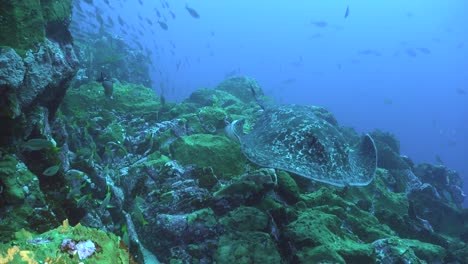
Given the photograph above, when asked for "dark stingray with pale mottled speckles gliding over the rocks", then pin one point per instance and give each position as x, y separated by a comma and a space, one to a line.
296, 139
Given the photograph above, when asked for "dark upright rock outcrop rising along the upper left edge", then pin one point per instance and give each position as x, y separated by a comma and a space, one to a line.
37, 64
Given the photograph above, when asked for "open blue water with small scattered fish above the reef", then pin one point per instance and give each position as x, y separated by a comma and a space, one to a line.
399, 66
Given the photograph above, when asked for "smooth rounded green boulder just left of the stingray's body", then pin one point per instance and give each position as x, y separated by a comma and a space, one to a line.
203, 150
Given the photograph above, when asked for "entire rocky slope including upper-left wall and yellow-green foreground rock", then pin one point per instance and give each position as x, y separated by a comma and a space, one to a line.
135, 179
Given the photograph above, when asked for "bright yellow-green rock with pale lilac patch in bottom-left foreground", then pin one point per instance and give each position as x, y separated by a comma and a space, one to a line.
60, 245
